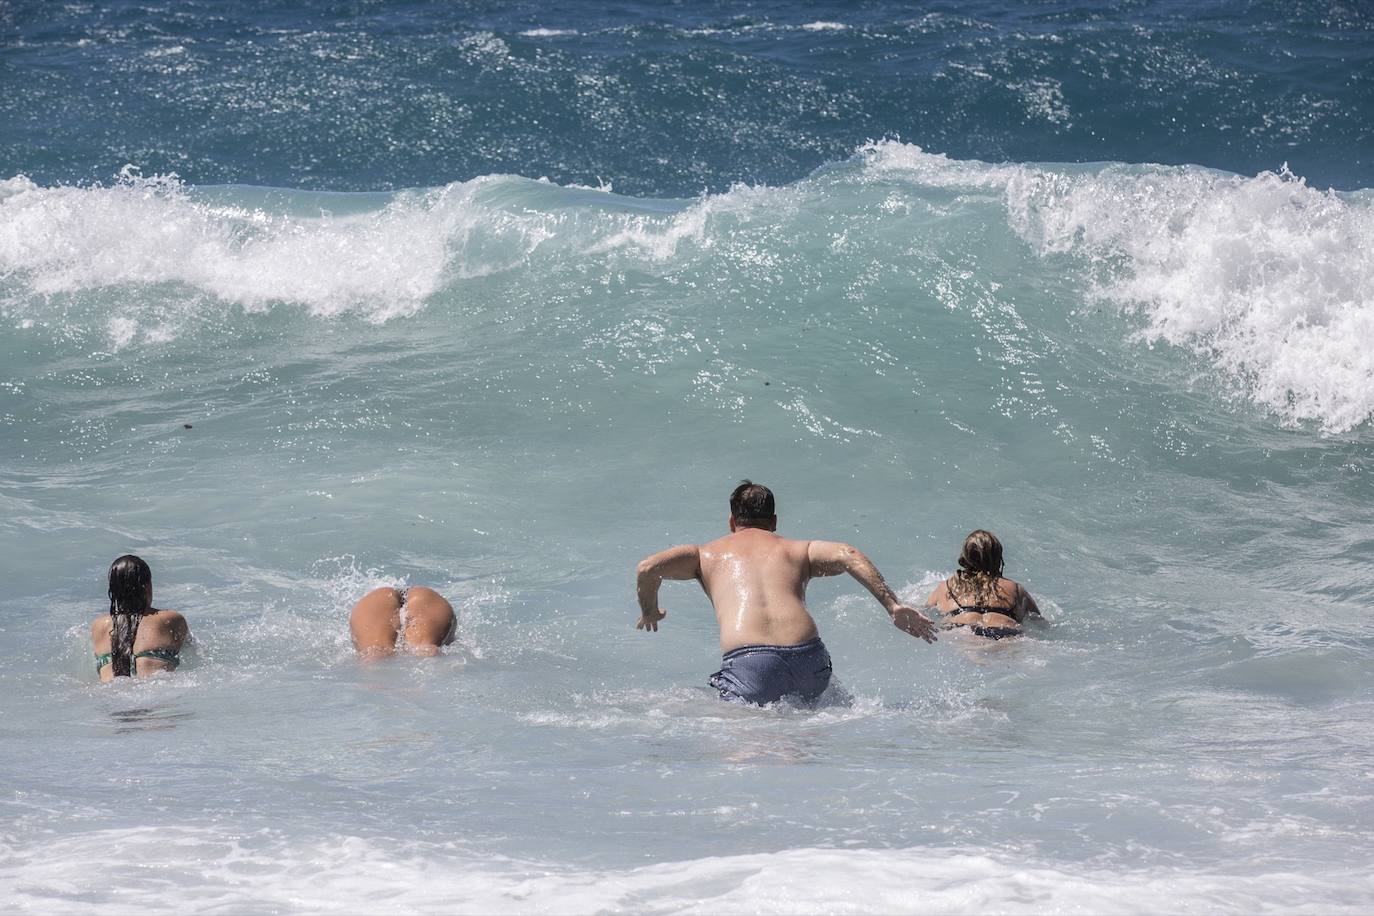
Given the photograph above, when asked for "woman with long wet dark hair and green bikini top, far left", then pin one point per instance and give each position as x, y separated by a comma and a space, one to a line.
135, 639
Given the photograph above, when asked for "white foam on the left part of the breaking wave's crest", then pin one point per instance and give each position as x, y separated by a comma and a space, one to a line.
152, 231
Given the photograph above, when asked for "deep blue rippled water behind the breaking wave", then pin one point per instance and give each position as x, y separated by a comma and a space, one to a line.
673, 100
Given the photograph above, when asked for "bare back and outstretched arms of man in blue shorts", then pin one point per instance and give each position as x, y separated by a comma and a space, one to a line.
758, 584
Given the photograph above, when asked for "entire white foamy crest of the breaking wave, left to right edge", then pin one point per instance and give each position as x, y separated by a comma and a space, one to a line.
1266, 278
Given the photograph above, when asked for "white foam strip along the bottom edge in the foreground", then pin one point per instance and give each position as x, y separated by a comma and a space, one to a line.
199, 870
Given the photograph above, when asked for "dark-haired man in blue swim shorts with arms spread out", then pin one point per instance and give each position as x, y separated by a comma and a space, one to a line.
758, 584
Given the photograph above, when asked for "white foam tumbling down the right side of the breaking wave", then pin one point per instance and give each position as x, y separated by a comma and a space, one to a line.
1268, 278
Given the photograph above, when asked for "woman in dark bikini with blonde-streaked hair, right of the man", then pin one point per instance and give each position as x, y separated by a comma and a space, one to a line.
979, 598
